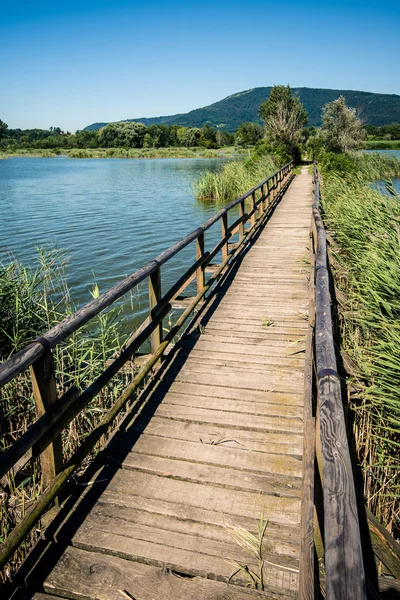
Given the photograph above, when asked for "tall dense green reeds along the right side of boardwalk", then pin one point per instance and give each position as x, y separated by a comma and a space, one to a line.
365, 227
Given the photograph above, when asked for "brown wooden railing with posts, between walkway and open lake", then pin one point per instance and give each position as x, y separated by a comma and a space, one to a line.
43, 437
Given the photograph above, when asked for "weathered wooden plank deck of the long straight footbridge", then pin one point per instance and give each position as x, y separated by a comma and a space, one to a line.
217, 445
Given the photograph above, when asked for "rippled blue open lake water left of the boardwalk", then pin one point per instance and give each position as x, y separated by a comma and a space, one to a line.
110, 215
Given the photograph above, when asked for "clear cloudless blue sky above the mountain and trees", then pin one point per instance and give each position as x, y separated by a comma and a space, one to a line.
69, 63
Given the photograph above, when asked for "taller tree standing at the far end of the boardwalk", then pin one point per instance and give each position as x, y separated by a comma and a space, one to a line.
284, 117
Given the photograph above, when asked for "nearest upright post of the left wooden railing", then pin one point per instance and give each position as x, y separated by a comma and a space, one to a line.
45, 394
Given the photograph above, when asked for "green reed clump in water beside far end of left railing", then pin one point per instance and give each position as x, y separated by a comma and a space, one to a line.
234, 179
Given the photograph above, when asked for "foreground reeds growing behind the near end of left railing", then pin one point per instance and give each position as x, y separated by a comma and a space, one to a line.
32, 301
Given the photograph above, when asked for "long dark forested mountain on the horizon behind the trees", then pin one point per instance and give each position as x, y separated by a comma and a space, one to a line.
229, 113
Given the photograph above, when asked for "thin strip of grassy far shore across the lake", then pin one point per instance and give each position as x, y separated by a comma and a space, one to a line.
227, 152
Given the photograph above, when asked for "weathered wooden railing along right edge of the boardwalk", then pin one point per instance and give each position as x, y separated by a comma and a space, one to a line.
345, 578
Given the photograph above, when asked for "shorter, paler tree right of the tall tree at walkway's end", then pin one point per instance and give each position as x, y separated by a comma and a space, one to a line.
341, 129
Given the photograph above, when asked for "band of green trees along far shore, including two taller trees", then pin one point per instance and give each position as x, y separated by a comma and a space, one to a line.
284, 135
